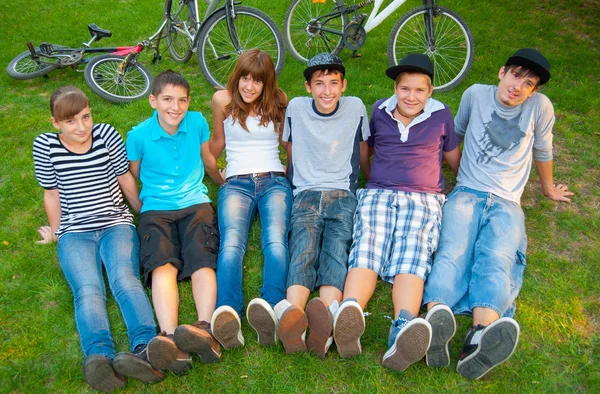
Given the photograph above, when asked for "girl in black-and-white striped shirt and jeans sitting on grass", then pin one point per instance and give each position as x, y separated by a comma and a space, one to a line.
84, 171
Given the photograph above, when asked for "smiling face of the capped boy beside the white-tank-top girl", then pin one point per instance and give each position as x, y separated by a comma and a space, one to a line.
326, 90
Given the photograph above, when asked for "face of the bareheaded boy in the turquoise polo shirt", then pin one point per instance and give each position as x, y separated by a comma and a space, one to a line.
172, 104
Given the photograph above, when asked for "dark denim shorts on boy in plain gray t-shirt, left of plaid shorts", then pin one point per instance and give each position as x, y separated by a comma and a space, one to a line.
320, 238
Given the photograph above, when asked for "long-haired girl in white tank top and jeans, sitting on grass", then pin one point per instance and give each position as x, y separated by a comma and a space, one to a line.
248, 120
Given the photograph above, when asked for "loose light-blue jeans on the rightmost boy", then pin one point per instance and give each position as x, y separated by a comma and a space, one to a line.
481, 255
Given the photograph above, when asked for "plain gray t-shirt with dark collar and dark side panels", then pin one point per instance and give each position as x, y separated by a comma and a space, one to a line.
325, 148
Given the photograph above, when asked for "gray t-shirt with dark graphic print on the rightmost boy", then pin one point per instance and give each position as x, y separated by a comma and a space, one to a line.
500, 141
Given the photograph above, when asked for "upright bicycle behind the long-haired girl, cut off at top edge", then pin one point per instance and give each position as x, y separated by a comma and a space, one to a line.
221, 37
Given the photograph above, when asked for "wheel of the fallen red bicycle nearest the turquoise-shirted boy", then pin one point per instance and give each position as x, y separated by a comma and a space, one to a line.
101, 76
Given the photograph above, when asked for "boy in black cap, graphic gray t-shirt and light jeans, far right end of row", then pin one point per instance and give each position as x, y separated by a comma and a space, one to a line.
479, 266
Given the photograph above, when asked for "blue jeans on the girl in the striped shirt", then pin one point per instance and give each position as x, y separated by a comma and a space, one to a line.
81, 257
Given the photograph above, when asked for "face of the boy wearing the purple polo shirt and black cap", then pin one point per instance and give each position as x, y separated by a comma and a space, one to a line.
412, 92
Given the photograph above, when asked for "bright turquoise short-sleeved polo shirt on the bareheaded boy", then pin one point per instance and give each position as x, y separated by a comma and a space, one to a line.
171, 168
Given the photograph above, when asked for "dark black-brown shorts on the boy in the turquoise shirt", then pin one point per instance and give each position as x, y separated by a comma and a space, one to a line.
187, 238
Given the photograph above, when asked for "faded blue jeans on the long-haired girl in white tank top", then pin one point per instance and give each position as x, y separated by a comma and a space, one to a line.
239, 200
